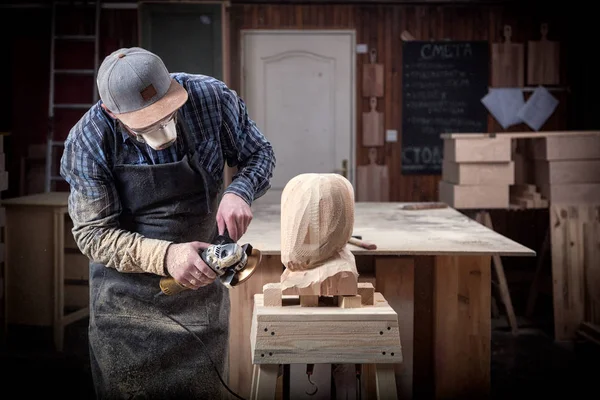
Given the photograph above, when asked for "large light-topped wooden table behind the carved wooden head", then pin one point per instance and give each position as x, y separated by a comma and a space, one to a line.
432, 266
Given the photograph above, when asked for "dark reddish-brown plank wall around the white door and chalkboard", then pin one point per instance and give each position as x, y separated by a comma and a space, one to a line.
380, 26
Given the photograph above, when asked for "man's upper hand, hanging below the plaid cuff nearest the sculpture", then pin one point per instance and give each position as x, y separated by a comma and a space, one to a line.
235, 215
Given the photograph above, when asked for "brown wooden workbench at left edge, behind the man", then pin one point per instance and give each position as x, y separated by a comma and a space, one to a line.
46, 275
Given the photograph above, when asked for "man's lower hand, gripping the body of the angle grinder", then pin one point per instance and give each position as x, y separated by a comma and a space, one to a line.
184, 264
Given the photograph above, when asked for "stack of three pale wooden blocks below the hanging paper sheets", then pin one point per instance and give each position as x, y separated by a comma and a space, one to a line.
477, 171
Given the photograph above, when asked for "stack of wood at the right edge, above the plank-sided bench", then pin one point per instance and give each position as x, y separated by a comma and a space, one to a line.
567, 167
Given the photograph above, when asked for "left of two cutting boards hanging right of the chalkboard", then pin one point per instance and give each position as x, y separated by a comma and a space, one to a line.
507, 62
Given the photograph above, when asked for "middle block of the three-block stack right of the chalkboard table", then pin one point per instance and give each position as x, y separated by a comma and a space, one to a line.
494, 173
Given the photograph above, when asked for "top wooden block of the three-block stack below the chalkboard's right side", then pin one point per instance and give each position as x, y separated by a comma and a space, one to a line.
483, 149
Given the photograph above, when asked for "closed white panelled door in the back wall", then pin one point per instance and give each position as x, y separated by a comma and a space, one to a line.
299, 89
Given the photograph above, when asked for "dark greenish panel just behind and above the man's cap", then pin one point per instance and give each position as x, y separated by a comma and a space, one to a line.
186, 36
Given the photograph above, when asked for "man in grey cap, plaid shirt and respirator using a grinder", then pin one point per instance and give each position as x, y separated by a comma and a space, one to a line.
145, 169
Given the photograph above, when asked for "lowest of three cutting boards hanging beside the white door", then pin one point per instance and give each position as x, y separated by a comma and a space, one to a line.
372, 180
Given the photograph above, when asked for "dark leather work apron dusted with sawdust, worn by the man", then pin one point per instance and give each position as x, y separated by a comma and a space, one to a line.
136, 351
